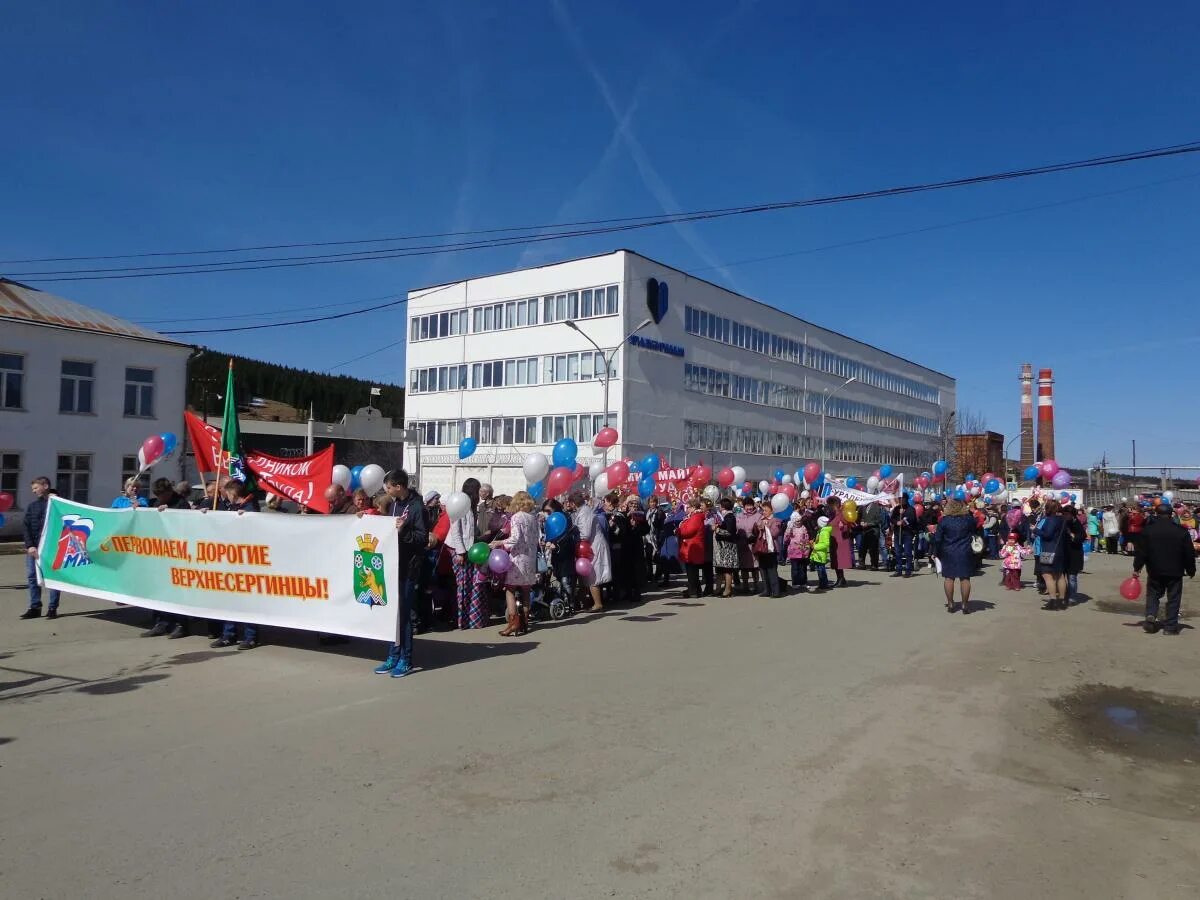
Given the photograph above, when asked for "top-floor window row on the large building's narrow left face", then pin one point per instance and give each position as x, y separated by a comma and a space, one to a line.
567, 307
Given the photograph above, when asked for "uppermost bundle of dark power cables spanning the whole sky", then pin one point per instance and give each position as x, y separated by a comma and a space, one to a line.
609, 226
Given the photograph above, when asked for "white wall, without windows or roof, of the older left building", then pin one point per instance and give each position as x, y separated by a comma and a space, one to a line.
40, 433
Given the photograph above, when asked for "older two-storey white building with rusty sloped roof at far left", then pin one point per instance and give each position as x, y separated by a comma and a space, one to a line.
80, 392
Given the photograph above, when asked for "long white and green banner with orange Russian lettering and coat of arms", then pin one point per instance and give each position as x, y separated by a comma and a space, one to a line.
333, 574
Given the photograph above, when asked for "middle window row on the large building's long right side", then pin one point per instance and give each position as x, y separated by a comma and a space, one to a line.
704, 380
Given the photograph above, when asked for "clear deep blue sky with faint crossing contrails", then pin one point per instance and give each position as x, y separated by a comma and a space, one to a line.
137, 128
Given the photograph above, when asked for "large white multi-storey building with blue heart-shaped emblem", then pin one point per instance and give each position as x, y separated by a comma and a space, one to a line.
709, 375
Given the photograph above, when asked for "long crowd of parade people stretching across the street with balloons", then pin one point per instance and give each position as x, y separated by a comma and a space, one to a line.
615, 548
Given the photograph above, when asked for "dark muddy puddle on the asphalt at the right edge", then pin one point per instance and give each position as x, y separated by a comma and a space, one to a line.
1133, 723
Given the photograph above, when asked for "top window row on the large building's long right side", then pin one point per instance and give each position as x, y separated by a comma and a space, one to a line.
724, 331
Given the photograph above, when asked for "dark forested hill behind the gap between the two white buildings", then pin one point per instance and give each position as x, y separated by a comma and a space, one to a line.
332, 397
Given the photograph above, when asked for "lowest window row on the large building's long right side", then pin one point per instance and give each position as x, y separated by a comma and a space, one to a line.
760, 442
